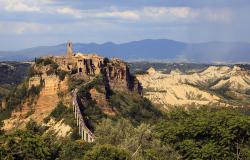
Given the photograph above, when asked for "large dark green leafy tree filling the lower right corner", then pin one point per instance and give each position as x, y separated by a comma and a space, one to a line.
207, 133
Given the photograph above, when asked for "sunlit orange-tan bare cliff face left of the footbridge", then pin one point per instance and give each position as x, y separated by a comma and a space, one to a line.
49, 90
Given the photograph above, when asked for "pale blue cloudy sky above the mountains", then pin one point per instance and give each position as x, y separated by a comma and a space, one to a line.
29, 23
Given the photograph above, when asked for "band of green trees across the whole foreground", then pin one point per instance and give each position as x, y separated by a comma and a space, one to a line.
205, 133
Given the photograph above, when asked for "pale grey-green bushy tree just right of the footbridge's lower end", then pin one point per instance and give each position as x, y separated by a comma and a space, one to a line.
140, 142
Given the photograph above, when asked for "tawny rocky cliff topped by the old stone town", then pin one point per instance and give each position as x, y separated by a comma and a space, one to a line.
51, 77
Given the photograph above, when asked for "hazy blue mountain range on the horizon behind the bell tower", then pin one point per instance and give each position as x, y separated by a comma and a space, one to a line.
157, 50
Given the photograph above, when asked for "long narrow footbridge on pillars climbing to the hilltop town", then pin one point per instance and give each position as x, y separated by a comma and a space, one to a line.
84, 131
